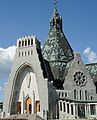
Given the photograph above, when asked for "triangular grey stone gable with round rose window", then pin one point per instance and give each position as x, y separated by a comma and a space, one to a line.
78, 76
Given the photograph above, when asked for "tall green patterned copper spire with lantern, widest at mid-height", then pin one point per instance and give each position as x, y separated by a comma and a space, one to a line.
56, 49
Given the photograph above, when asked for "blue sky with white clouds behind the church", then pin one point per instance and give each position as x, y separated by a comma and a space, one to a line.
31, 17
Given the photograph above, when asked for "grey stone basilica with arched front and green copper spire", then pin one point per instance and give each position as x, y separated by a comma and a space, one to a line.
52, 82
